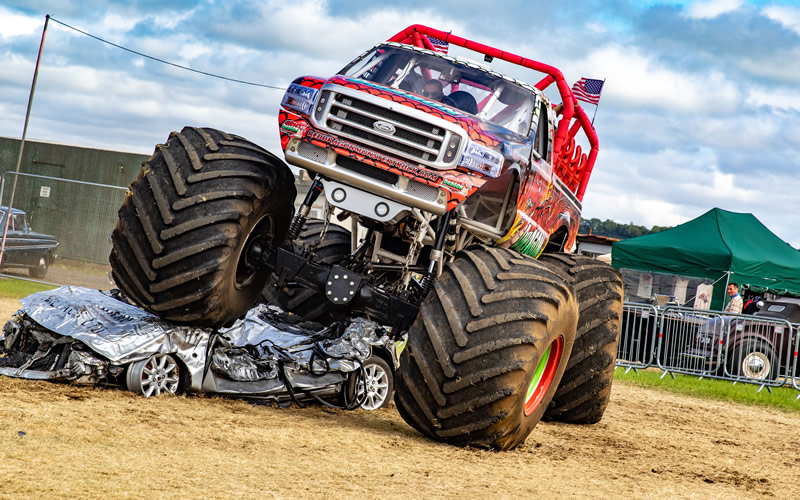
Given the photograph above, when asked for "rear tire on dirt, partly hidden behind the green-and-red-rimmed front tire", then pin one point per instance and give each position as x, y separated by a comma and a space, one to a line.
583, 393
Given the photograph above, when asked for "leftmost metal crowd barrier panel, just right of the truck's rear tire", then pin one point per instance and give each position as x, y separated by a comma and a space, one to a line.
638, 336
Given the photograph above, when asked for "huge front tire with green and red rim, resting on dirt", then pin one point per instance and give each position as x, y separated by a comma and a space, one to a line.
487, 350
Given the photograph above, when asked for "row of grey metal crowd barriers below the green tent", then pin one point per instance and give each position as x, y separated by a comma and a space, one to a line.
735, 347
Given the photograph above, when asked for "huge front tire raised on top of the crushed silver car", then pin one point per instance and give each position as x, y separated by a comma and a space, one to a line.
186, 241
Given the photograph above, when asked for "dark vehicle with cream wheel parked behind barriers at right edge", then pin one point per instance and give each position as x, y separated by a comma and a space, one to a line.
756, 347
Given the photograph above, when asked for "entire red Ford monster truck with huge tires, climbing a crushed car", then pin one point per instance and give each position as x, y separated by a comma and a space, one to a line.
454, 179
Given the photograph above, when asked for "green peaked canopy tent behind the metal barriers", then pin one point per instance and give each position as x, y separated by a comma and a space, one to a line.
718, 244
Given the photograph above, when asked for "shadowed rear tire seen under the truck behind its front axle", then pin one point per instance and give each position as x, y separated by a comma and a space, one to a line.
334, 248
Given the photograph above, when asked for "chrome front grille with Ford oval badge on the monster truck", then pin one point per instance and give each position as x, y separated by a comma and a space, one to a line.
407, 136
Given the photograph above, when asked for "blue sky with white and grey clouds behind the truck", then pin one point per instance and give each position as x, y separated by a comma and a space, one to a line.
700, 108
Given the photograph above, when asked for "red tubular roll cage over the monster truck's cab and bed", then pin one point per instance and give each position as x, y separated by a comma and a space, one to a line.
571, 165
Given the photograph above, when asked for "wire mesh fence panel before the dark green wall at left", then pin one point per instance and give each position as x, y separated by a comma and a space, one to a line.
81, 216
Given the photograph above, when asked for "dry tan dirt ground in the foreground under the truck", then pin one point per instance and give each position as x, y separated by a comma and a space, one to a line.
67, 441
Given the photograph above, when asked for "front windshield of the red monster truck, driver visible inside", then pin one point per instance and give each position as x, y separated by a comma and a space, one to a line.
459, 84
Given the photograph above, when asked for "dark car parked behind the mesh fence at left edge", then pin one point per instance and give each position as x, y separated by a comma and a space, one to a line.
25, 247
